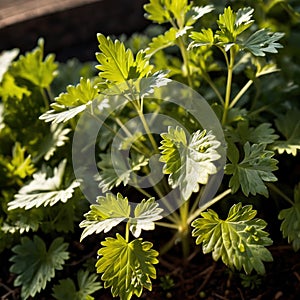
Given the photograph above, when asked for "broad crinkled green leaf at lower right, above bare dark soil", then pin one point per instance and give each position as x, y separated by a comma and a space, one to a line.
239, 240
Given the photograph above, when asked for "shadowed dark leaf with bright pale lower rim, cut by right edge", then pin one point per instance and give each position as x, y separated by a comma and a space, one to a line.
289, 126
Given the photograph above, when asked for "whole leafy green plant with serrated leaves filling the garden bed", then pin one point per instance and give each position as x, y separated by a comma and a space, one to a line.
226, 58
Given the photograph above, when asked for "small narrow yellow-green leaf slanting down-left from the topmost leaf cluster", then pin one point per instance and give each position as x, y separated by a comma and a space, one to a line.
167, 39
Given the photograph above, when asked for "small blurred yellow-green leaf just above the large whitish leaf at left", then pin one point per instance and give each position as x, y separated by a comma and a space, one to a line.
19, 165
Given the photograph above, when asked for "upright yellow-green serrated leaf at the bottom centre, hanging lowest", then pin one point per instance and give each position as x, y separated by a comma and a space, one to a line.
127, 267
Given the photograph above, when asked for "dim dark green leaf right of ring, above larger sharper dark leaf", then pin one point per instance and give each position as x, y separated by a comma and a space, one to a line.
262, 134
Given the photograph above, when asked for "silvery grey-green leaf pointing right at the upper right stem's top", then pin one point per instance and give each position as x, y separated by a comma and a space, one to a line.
263, 41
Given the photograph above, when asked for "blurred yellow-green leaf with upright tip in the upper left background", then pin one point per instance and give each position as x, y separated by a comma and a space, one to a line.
33, 68
